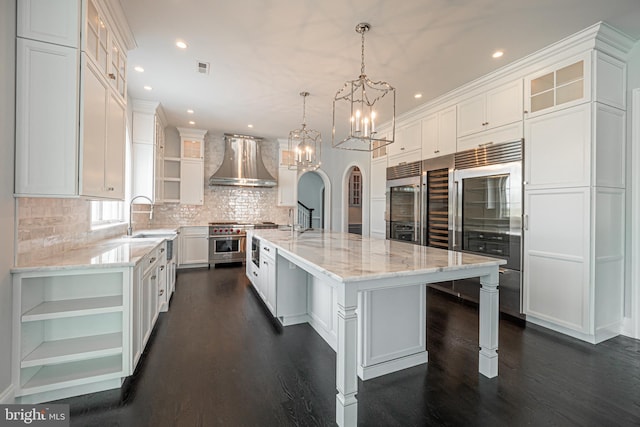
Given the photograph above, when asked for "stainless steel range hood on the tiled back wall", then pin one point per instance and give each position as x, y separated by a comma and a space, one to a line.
242, 164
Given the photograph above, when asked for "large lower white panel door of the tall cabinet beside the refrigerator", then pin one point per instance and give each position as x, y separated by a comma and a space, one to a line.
556, 256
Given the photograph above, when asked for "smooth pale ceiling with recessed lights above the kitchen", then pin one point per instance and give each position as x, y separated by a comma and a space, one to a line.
263, 53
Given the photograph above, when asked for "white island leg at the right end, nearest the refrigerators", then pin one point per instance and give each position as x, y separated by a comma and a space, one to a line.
489, 316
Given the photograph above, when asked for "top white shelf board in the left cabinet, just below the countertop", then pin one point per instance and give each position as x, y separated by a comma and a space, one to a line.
73, 307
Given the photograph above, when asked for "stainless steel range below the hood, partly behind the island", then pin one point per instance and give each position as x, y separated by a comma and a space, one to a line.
228, 240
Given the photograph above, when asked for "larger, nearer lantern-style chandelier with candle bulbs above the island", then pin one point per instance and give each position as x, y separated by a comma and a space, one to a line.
364, 103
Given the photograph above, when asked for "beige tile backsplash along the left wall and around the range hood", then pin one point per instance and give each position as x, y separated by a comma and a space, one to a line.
50, 224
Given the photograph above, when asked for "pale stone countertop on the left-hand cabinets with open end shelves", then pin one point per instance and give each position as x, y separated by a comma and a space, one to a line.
117, 252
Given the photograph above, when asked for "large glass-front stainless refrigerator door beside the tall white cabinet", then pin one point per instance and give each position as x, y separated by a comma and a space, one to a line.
488, 211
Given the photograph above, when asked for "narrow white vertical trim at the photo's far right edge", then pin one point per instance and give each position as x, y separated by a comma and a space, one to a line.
634, 330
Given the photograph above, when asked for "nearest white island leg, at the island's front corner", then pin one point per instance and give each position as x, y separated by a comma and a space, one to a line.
346, 357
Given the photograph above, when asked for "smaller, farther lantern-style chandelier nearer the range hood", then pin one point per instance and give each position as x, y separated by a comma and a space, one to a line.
305, 145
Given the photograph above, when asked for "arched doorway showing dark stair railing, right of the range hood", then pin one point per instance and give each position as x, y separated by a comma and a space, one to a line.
314, 196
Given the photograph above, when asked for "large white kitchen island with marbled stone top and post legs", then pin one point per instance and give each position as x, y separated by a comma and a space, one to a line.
377, 298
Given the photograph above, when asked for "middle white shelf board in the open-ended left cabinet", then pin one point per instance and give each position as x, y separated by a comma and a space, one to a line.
74, 349
